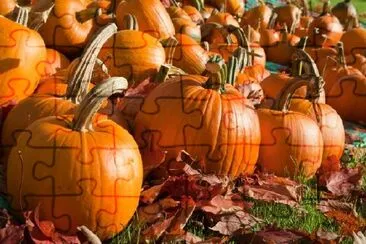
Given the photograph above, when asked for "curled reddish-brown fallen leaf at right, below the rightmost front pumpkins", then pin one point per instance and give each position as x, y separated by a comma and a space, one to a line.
342, 183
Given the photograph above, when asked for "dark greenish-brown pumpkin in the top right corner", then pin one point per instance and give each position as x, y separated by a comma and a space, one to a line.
346, 13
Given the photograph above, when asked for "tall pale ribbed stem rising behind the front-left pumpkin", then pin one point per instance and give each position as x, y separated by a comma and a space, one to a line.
79, 81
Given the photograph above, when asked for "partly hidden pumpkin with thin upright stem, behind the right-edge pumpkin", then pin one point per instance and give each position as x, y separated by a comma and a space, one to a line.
333, 73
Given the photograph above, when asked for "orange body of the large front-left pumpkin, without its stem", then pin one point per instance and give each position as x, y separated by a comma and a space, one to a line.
96, 178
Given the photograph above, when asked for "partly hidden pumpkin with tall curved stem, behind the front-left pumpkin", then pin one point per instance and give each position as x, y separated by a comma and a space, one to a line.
48, 102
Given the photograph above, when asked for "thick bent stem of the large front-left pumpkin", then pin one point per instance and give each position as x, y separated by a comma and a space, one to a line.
83, 119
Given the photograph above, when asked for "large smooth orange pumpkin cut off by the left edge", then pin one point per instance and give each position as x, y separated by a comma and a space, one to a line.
22, 53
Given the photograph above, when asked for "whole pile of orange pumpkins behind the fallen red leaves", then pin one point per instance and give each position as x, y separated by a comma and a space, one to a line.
92, 90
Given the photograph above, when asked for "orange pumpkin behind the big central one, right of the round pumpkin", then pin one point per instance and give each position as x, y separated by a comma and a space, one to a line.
189, 55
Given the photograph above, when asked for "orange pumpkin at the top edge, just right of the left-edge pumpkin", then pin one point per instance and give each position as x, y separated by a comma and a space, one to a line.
63, 31
